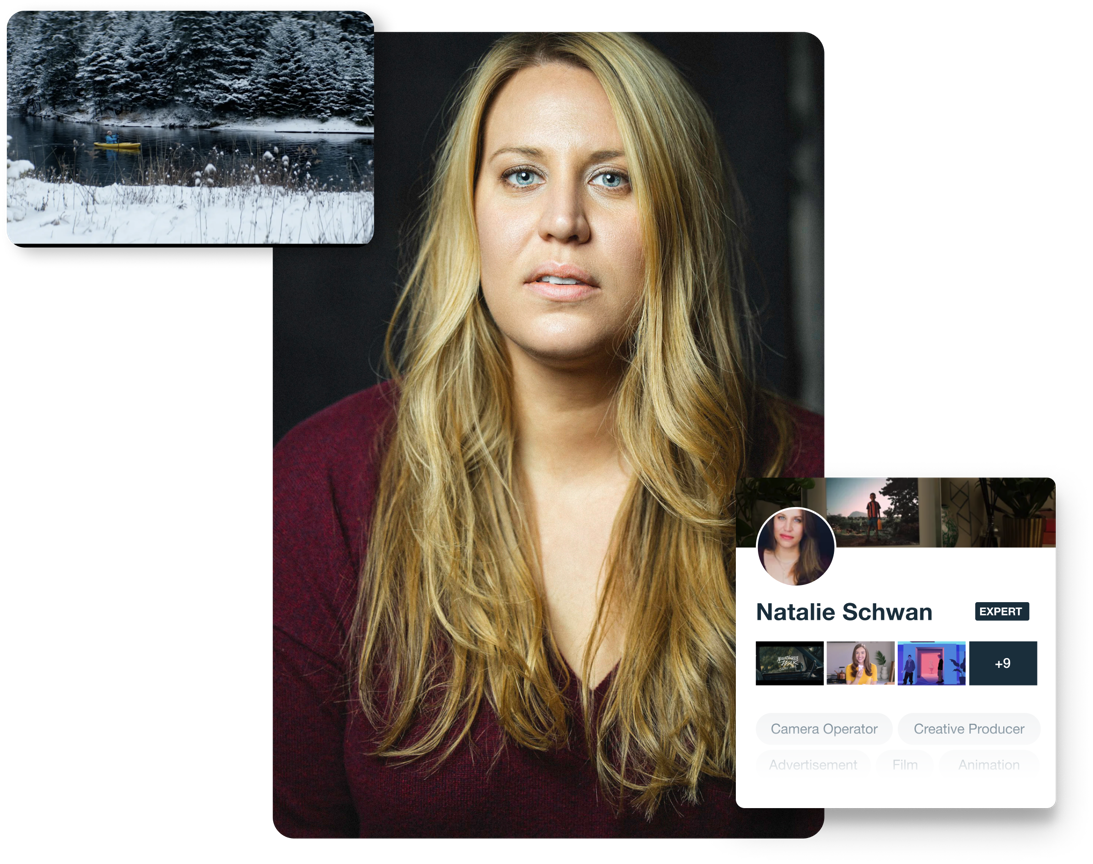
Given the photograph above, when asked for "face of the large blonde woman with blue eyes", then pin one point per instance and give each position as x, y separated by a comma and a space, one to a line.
558, 223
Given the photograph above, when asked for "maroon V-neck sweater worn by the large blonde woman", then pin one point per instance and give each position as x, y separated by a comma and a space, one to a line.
325, 785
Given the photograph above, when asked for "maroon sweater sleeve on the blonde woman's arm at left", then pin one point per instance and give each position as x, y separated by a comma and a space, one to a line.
325, 474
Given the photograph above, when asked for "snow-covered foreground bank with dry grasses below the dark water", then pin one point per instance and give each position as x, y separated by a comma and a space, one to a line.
70, 213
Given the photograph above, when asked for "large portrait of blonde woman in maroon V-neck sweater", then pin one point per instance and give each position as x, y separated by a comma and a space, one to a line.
524, 541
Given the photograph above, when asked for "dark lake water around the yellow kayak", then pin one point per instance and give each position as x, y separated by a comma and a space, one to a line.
337, 160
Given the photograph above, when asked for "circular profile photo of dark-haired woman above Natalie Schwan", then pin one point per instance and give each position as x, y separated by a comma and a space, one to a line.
796, 546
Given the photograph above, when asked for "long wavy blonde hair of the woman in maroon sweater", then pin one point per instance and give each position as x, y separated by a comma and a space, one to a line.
450, 614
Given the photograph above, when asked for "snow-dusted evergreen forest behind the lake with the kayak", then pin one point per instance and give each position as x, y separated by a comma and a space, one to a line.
201, 66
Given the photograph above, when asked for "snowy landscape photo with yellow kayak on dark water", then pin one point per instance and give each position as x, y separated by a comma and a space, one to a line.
190, 127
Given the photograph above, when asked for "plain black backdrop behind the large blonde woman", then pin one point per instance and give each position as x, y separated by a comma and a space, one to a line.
332, 306
